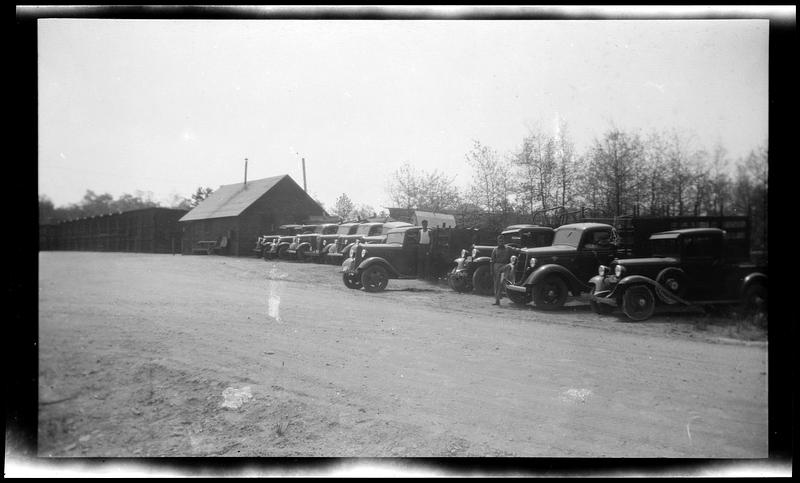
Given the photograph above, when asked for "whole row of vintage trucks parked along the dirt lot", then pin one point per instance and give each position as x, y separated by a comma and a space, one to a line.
699, 265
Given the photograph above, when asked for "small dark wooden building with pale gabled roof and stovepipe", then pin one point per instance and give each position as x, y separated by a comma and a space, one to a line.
234, 216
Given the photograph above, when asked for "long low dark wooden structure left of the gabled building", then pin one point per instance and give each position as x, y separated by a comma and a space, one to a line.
150, 230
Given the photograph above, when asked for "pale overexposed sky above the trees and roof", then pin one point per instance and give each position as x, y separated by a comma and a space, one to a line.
169, 105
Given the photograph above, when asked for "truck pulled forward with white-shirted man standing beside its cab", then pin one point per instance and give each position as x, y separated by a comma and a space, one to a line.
372, 265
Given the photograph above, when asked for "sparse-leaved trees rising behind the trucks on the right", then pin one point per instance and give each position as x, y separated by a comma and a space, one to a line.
621, 173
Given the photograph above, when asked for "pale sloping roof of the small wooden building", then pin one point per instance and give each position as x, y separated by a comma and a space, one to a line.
232, 199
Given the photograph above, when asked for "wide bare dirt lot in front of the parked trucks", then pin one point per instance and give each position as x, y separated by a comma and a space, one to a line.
166, 355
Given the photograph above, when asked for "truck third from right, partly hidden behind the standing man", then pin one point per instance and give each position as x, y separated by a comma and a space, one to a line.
473, 271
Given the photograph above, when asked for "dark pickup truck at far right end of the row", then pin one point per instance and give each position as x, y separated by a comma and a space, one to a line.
694, 266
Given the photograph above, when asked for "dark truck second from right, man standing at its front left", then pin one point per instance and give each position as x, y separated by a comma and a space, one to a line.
548, 275
